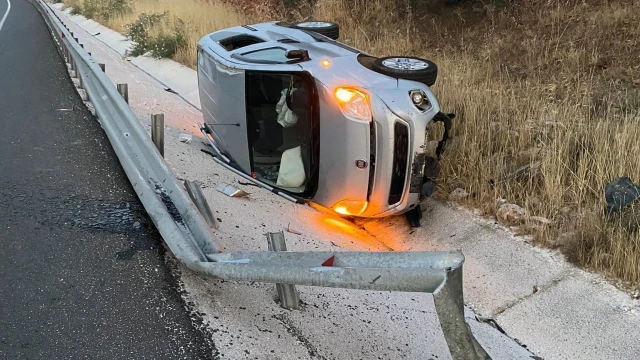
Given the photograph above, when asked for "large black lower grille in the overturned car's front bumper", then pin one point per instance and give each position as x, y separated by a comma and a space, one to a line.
400, 160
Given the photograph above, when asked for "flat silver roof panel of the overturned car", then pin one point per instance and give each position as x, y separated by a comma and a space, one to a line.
222, 95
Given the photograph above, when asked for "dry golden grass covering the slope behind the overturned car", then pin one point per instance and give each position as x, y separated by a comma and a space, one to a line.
548, 84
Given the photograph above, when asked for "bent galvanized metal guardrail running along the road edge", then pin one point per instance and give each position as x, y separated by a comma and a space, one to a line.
187, 228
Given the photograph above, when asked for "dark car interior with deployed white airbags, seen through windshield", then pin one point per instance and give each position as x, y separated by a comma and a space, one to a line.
279, 129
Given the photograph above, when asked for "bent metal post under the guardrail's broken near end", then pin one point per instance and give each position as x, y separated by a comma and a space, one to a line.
449, 302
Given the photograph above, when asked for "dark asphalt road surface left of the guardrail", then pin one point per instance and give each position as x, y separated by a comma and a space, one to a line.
82, 269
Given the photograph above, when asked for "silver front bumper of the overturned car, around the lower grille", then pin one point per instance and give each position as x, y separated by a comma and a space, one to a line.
398, 155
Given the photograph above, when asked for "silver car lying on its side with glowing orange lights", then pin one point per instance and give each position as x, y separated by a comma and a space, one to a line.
316, 119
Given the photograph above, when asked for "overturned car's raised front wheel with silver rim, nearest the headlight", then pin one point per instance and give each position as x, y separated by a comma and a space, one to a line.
409, 68
